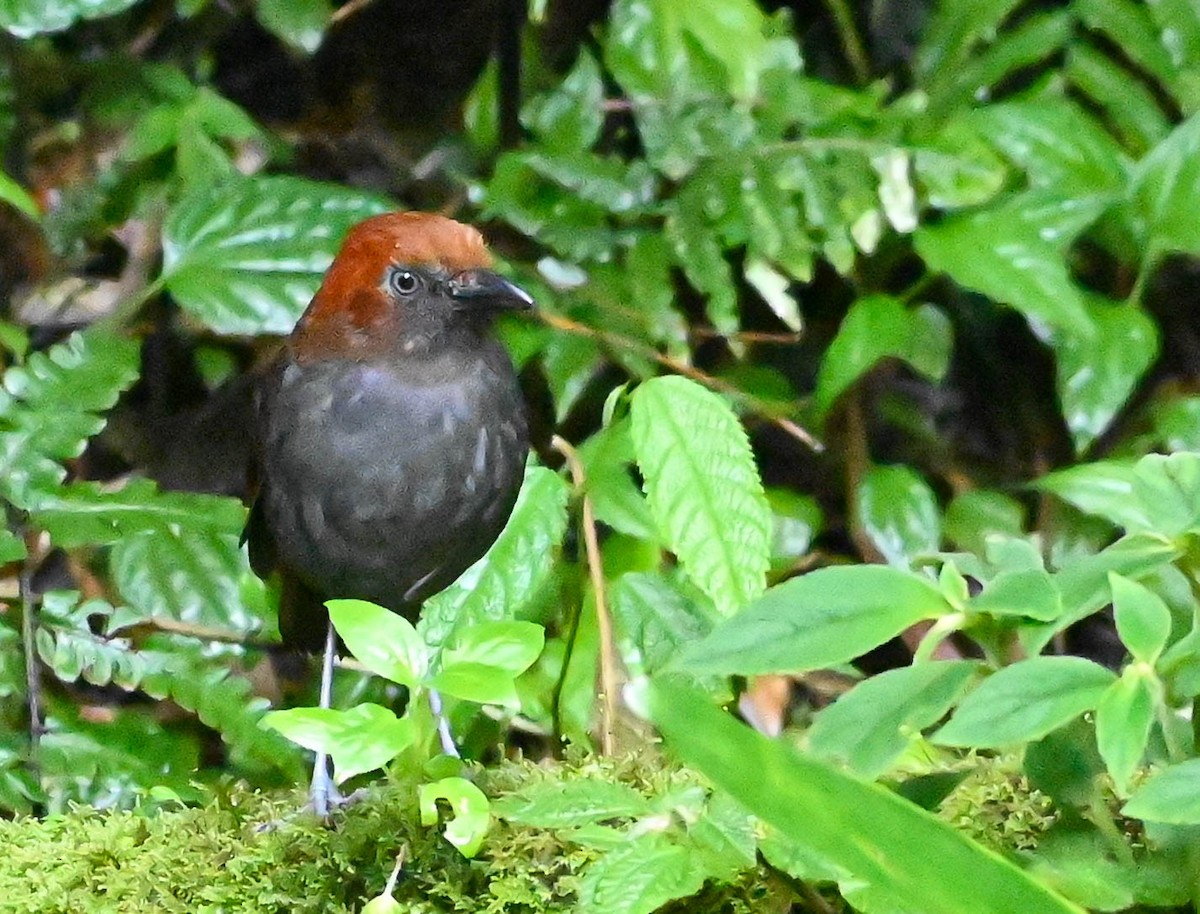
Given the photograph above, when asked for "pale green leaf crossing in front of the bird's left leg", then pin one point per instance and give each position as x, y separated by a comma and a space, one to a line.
362, 739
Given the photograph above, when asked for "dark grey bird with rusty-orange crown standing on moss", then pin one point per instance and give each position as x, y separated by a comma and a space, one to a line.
392, 432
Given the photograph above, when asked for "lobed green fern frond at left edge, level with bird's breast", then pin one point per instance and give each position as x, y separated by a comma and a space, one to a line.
50, 408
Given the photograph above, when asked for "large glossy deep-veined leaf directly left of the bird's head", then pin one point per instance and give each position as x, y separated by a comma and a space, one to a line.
248, 255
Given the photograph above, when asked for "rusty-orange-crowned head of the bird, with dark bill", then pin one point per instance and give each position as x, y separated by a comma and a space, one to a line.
404, 284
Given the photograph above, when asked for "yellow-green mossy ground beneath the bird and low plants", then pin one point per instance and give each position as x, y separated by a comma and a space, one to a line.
219, 859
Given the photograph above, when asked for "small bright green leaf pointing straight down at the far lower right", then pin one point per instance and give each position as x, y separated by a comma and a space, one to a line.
1124, 718
